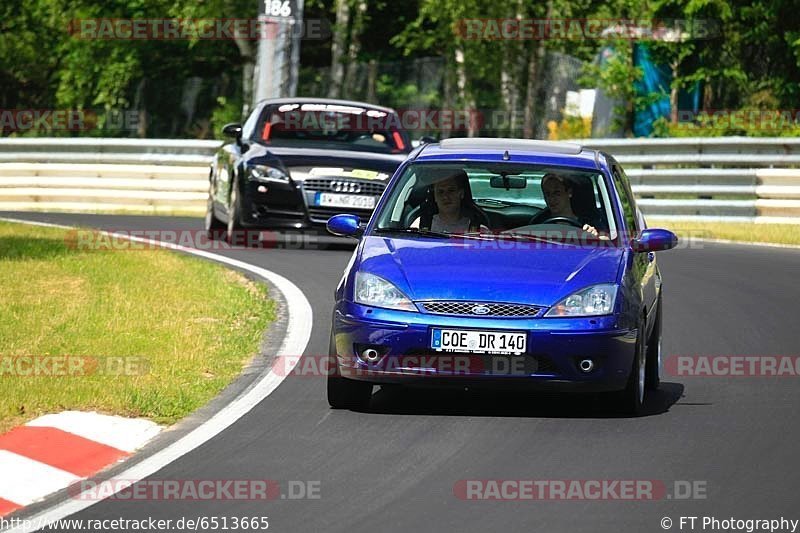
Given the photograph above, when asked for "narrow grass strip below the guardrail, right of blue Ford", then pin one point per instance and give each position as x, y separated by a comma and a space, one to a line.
734, 231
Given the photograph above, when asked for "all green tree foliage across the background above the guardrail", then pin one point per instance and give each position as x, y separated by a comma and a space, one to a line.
744, 54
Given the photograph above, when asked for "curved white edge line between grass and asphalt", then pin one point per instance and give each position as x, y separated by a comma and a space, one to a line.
298, 333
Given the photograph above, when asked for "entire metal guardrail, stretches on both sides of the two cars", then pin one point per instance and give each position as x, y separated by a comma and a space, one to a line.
730, 178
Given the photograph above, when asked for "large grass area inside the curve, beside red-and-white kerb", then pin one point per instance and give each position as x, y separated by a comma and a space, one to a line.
191, 323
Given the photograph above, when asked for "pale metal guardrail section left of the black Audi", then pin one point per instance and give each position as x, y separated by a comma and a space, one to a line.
115, 175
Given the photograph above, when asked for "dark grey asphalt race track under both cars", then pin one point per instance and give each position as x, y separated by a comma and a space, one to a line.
395, 467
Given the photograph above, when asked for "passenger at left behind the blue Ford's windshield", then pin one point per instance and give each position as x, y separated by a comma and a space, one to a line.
452, 209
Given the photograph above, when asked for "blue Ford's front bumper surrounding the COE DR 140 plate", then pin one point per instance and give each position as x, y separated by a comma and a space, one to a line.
555, 347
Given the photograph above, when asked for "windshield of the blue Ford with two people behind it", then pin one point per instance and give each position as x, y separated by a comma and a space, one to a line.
499, 200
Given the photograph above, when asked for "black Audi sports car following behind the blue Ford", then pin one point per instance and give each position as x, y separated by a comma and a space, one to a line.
298, 161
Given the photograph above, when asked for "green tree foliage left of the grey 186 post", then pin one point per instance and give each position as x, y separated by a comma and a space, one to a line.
46, 63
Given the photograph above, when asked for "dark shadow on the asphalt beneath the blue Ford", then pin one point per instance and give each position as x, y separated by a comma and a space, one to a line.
396, 400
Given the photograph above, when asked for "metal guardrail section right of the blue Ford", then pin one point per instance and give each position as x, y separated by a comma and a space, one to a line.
725, 178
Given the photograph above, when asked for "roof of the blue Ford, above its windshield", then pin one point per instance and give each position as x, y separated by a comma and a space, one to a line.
511, 150
